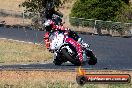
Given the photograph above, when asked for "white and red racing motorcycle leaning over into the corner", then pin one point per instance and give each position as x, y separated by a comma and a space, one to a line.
66, 49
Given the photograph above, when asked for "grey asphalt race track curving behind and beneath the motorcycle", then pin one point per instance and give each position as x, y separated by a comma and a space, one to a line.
114, 53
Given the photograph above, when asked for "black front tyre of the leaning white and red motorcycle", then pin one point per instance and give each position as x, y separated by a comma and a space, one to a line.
70, 58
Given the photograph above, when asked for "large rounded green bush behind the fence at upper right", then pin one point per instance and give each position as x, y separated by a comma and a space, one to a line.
99, 9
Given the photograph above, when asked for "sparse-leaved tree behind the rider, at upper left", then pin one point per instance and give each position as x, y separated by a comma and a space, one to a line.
37, 8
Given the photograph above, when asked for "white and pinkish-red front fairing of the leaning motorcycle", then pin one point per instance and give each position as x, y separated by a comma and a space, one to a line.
59, 39
